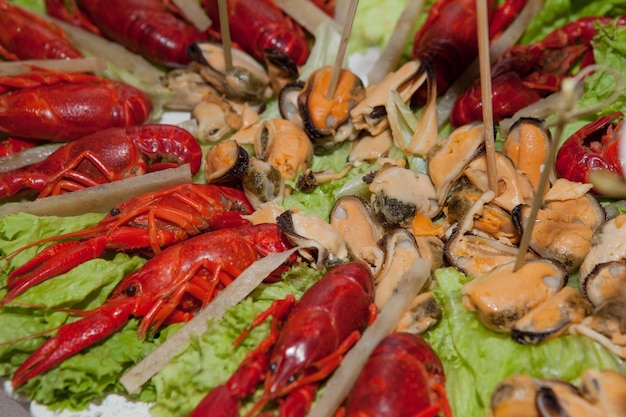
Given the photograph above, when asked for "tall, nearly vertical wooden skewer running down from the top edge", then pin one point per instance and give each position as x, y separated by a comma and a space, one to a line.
485, 89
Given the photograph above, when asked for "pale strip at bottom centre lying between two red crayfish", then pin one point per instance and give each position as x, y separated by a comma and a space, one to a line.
346, 374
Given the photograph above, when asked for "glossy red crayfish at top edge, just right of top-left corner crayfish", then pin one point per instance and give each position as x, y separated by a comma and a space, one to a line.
154, 29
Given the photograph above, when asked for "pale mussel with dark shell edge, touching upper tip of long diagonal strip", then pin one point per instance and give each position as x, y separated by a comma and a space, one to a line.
320, 243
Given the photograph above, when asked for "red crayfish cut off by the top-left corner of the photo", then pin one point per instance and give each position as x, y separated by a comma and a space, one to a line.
24, 35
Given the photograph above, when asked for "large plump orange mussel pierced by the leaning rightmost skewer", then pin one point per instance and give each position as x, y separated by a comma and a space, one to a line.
505, 294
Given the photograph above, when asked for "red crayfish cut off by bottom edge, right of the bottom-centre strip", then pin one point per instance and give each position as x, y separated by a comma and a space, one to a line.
402, 377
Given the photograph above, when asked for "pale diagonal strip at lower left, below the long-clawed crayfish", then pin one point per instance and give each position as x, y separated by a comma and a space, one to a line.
245, 283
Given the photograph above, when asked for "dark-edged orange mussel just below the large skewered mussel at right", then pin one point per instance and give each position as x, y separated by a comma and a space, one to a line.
552, 317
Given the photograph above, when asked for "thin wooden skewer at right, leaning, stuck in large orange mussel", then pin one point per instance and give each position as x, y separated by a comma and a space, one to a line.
568, 86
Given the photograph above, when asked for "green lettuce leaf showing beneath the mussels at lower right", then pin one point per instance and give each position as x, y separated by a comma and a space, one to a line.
476, 359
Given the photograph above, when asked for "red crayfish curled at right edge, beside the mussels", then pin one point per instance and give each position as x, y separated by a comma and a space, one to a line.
594, 146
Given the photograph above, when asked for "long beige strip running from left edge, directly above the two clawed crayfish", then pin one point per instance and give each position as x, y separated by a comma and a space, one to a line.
102, 198
